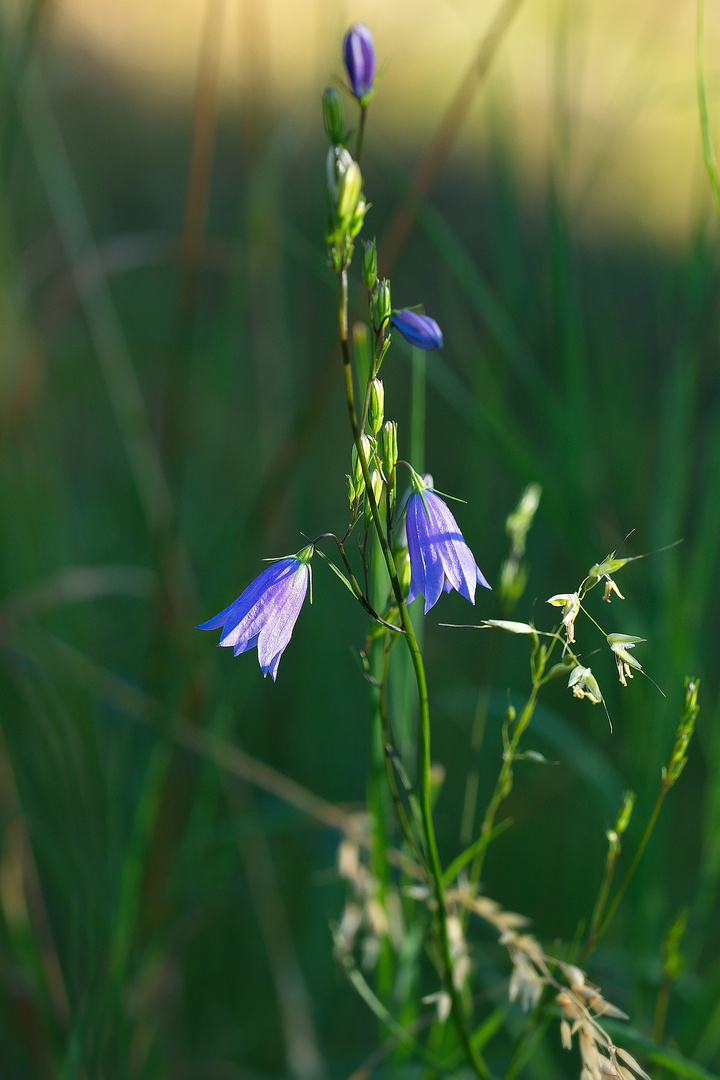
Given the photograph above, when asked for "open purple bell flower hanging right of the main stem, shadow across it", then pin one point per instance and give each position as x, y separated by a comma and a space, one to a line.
440, 558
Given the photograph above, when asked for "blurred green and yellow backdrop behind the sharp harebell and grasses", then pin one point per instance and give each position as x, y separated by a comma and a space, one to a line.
171, 413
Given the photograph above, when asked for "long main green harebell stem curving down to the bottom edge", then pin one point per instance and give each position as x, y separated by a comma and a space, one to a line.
418, 667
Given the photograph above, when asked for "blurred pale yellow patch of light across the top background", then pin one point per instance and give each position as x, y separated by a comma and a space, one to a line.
604, 88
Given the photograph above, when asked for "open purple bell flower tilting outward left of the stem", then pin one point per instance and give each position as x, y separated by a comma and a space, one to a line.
265, 615
